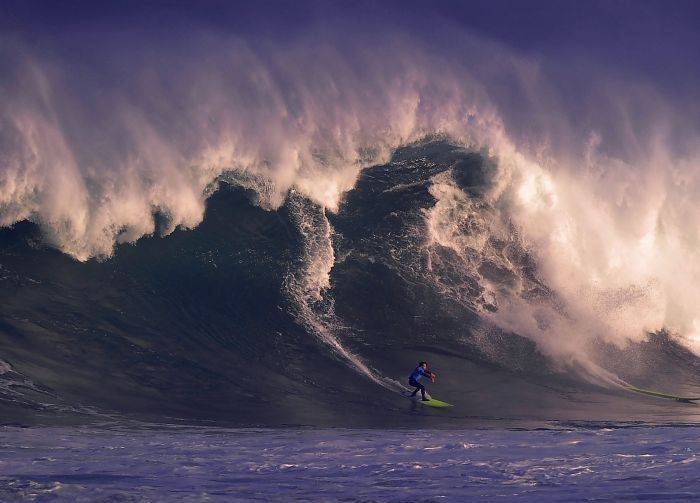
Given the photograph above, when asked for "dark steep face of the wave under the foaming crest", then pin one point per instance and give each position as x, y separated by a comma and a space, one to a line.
302, 316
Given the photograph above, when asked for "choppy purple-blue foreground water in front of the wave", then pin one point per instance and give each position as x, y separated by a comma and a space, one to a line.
561, 463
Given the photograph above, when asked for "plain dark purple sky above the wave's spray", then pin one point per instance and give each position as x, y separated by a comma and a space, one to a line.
658, 40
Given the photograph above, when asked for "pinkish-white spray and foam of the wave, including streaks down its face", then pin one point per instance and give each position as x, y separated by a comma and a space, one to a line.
580, 229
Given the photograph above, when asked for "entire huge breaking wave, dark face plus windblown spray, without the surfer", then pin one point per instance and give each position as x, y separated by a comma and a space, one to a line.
297, 222
